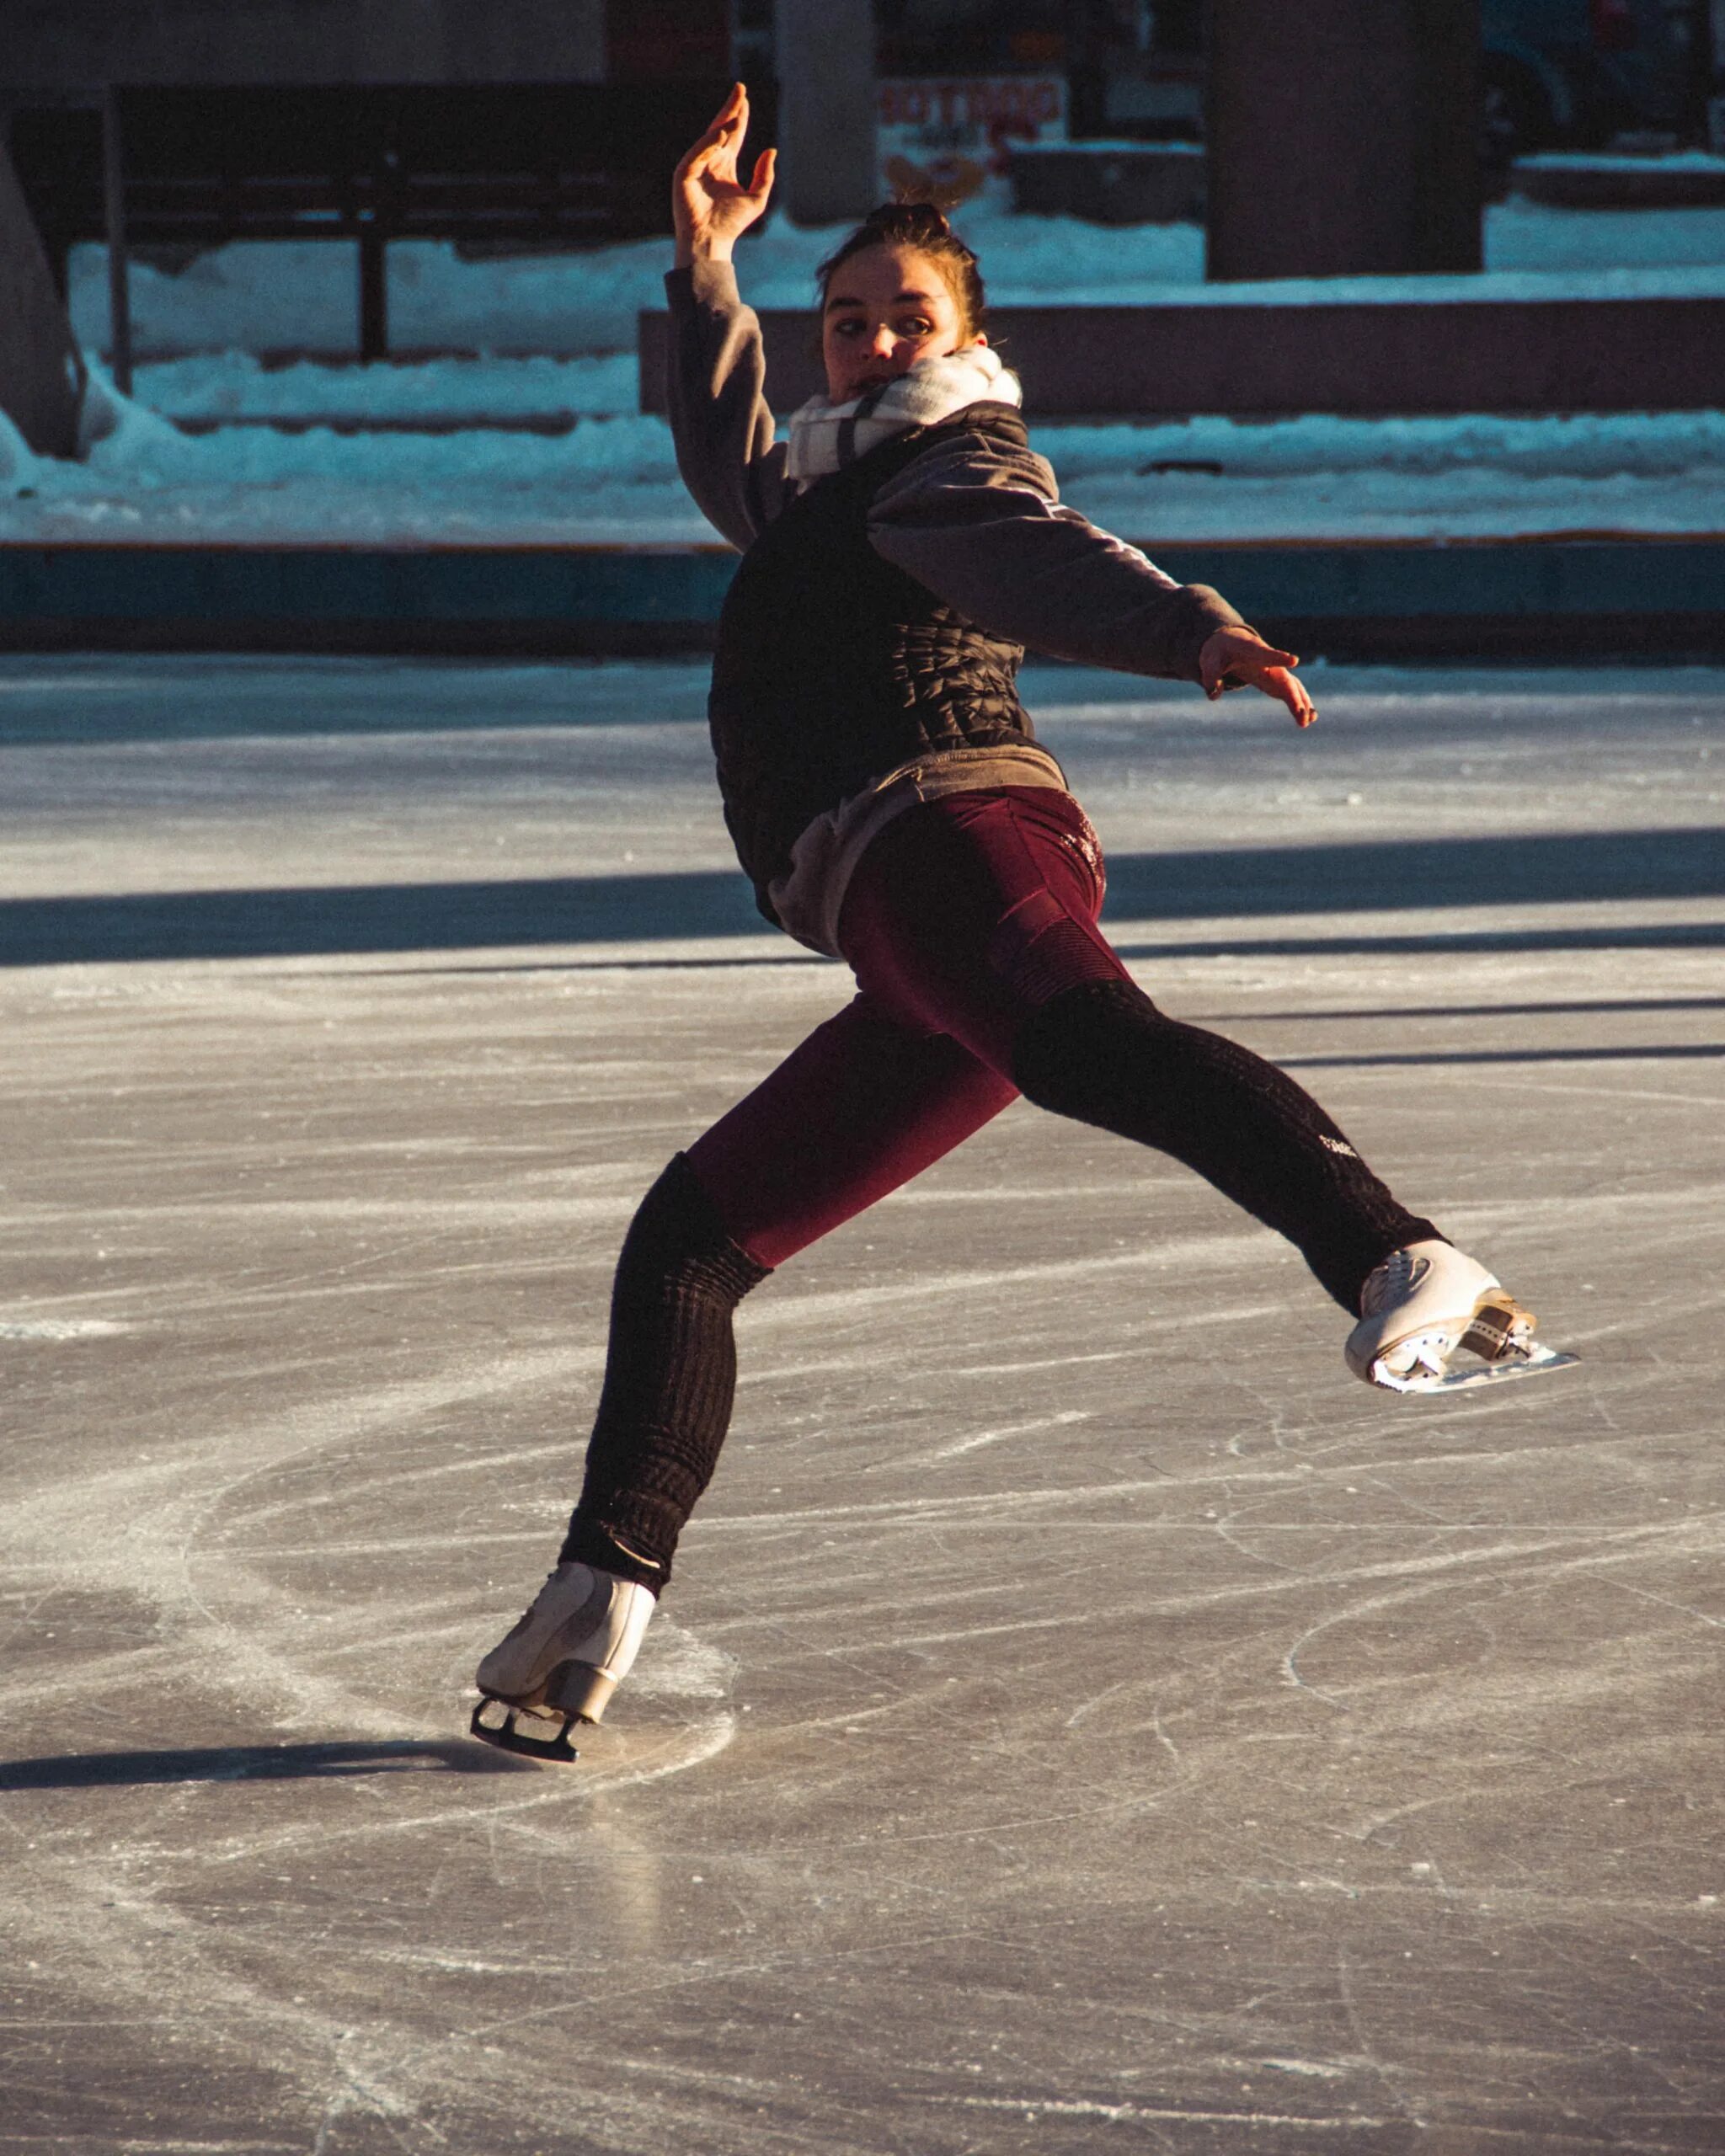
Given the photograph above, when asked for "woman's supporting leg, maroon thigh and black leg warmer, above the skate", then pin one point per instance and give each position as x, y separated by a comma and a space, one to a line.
853, 1114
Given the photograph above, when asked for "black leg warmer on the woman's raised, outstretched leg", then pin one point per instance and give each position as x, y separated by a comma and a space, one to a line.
1105, 1055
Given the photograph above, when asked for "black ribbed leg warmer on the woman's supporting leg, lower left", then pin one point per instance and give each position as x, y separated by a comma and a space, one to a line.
672, 1374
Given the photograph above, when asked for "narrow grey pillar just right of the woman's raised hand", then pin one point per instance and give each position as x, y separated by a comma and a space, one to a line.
827, 111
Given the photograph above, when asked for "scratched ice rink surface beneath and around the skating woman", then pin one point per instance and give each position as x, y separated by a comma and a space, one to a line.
1086, 1717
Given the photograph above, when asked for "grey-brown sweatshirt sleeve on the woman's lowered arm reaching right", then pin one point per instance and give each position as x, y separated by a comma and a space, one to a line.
982, 525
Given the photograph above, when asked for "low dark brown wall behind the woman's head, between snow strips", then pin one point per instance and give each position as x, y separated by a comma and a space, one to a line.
1269, 361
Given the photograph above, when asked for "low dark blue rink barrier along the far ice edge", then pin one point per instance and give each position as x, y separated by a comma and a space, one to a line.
1360, 598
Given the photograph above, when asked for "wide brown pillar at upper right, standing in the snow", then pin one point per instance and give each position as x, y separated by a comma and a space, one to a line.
1344, 139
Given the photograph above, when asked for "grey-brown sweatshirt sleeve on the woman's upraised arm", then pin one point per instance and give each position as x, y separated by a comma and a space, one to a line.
719, 415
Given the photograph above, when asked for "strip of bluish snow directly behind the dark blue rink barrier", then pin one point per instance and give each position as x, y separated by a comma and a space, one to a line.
613, 480
